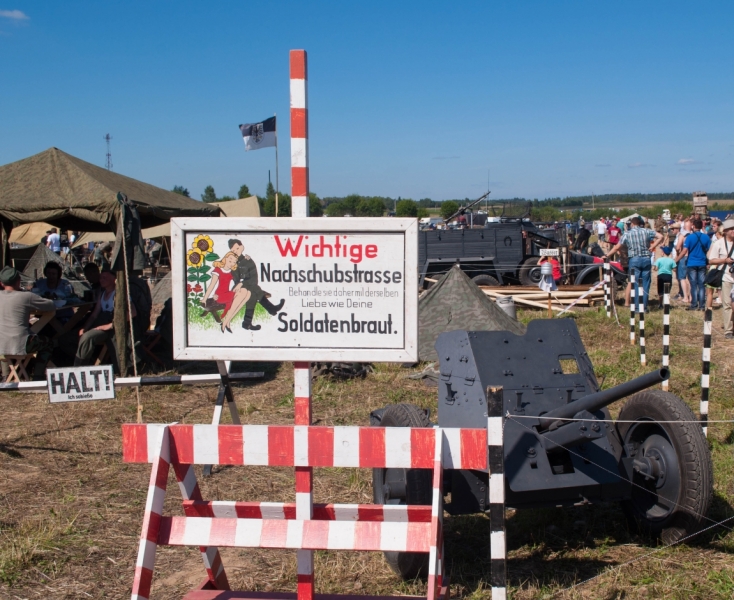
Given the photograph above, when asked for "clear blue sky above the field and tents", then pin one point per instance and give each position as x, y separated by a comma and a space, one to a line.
411, 99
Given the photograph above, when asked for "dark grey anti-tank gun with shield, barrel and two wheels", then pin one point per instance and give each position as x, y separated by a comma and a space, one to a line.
561, 446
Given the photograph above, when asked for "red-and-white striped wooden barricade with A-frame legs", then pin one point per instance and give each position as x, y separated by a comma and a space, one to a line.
210, 525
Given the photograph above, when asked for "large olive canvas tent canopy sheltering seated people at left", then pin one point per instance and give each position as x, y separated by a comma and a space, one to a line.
69, 193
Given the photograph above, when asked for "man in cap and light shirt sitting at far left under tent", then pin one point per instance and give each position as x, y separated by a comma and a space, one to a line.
16, 307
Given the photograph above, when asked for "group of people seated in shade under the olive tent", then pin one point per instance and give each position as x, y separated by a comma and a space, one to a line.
54, 296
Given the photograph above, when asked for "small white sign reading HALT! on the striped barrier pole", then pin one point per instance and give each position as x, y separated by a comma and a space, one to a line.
75, 384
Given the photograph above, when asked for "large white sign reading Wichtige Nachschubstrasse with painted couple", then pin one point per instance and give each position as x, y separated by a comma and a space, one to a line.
295, 289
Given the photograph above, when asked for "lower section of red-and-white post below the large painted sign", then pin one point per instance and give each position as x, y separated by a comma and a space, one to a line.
304, 474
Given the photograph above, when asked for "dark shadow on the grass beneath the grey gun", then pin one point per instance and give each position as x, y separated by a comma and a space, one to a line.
555, 548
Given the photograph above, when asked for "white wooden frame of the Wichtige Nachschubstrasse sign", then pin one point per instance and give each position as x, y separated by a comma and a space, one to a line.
320, 350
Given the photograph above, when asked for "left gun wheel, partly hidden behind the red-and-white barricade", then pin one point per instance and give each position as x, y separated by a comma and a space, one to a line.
404, 486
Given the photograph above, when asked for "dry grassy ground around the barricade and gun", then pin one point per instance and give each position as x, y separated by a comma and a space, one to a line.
72, 510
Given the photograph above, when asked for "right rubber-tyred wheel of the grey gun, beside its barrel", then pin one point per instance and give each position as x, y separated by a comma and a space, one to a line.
672, 466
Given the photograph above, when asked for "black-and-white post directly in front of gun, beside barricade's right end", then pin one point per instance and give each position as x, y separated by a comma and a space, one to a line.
495, 442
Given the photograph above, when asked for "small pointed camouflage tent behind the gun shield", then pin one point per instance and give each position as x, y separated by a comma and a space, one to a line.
455, 302
